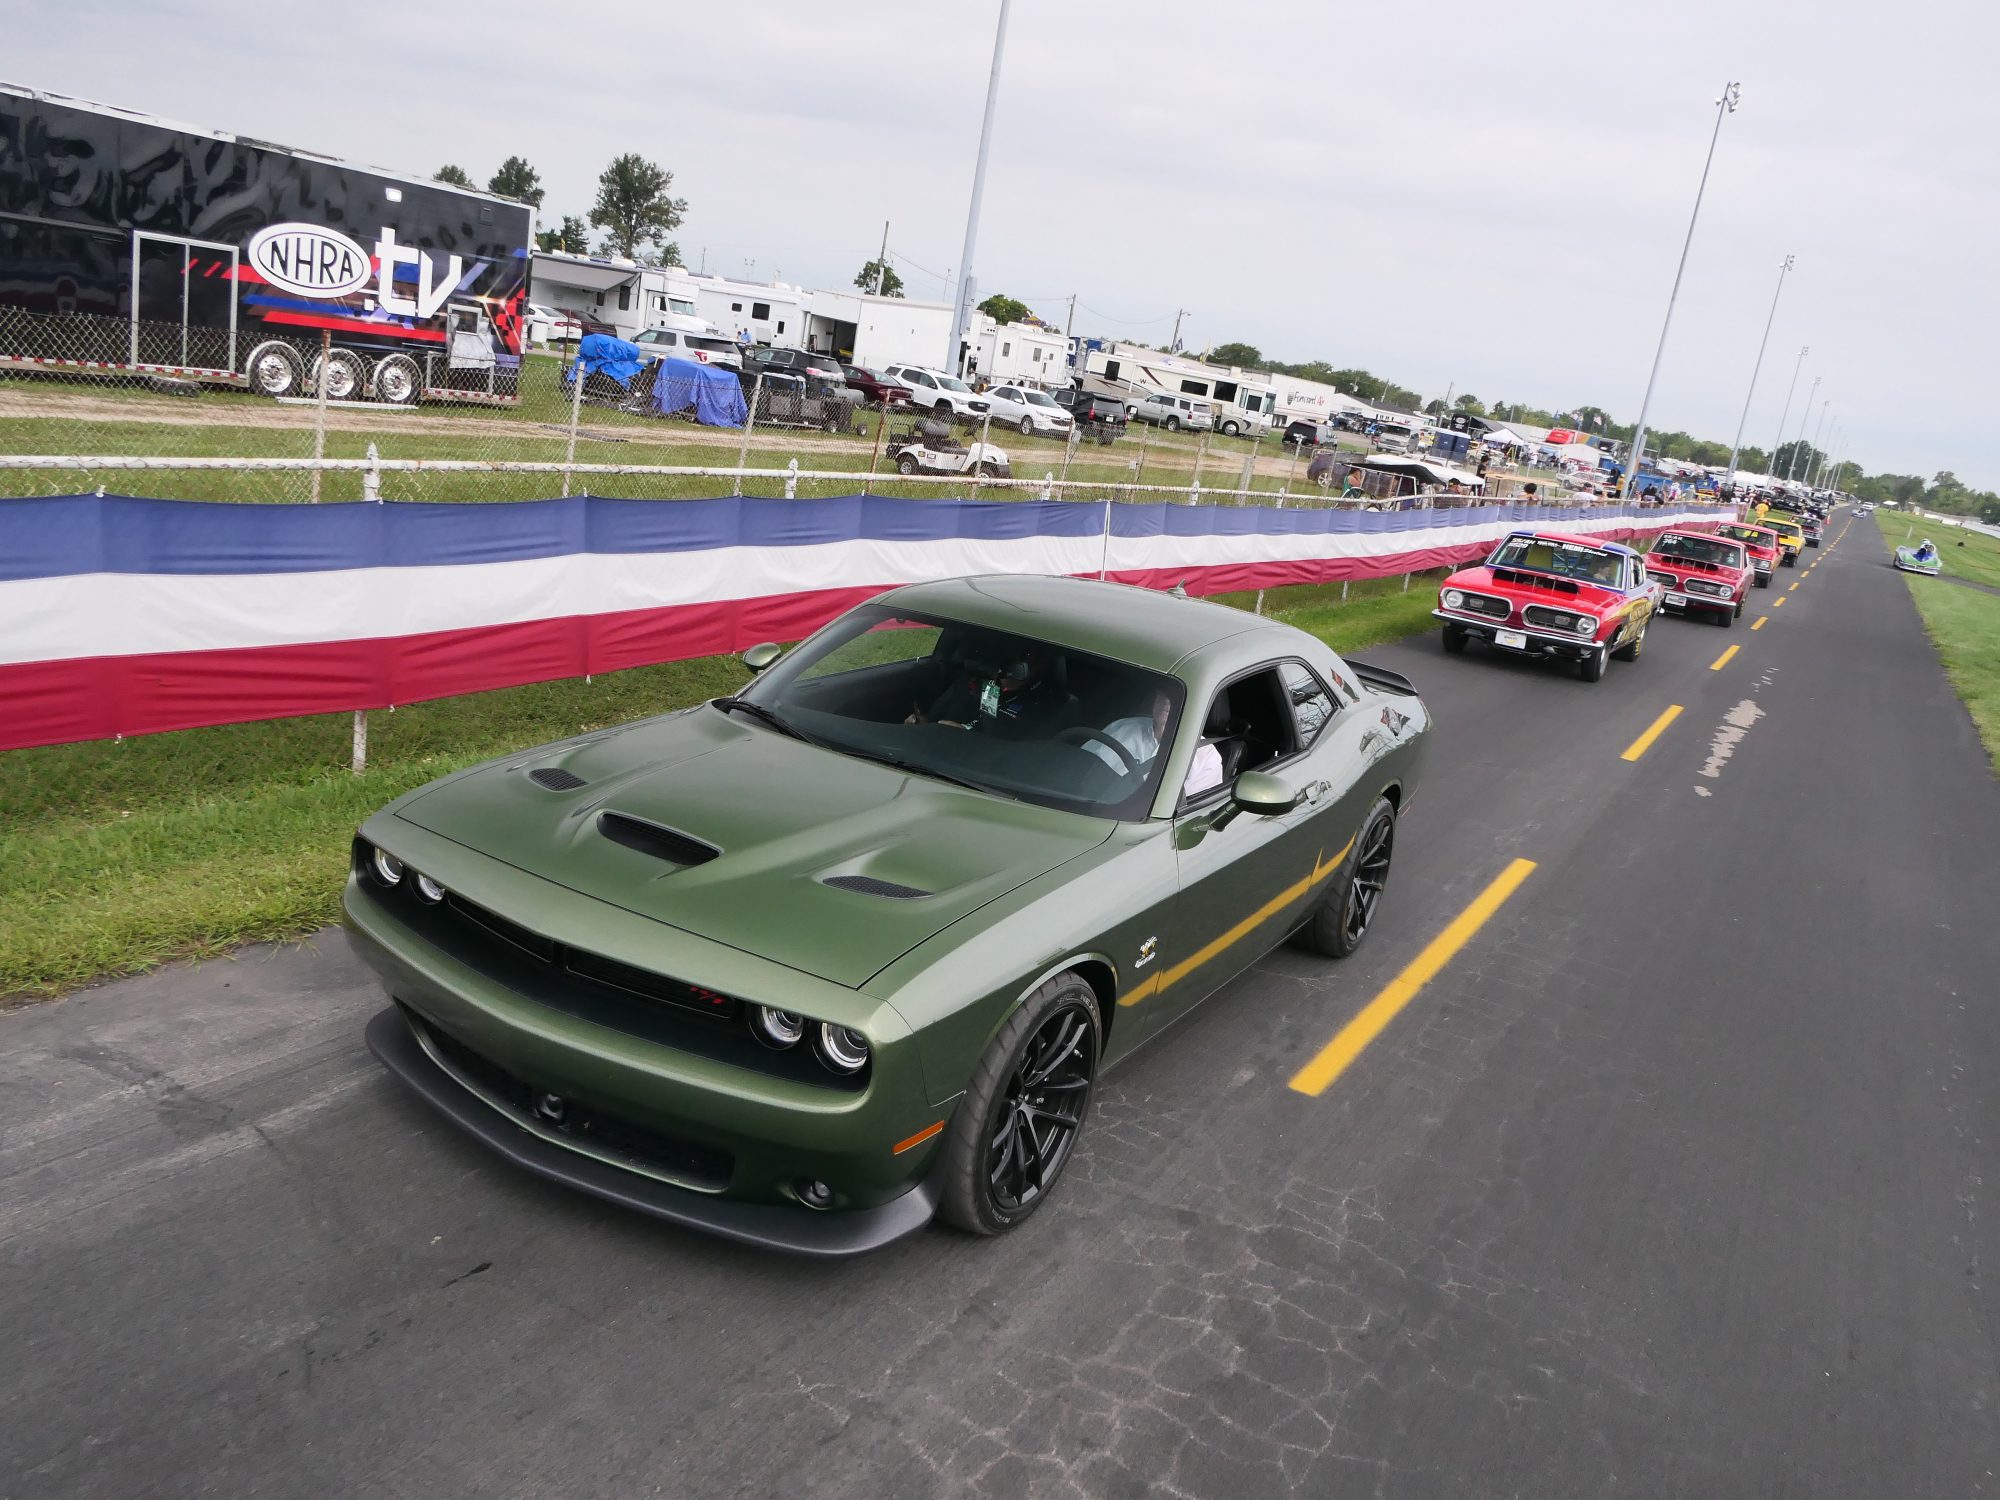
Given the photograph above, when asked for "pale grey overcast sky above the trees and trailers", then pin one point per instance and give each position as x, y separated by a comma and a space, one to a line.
1475, 197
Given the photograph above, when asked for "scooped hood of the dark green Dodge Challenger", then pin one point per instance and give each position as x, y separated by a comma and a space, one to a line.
781, 817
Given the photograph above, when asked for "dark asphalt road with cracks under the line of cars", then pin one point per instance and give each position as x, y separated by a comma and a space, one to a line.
1675, 1183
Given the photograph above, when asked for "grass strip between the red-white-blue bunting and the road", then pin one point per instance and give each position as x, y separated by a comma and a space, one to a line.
117, 857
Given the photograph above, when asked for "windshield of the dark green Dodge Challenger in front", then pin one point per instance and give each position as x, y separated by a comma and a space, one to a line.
1005, 713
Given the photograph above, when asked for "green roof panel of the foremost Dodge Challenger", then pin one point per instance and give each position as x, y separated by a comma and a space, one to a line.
1121, 621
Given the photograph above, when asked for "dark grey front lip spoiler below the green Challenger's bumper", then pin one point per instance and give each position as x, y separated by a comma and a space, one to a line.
771, 1227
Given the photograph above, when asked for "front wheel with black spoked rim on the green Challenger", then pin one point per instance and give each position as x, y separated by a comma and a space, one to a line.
995, 1121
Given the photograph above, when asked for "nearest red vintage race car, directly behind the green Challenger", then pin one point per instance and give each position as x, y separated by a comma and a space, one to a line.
1553, 595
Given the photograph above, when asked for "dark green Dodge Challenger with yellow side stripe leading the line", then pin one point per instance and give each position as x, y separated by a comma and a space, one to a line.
813, 965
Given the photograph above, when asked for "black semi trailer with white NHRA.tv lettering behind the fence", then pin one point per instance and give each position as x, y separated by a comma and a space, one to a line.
133, 245
